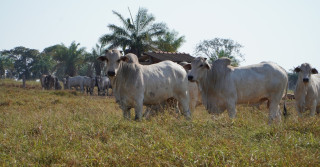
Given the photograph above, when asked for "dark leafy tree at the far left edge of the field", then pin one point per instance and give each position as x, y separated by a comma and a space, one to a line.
24, 59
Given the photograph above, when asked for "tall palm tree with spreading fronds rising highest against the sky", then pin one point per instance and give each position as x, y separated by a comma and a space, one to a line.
134, 36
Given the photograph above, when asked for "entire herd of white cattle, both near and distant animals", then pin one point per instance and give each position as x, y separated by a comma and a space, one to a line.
217, 85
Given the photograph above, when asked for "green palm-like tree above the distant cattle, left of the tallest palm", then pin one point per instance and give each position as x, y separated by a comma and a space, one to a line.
69, 59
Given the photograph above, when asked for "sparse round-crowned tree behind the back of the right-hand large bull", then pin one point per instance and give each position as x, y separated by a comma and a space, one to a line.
219, 47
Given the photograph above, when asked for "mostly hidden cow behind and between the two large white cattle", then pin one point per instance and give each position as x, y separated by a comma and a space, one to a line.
194, 92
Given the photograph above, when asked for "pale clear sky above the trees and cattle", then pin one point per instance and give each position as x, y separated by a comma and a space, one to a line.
283, 31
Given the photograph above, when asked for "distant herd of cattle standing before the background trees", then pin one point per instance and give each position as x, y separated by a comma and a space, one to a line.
78, 82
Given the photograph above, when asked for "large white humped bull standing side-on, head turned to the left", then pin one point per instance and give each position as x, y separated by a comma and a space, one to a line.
223, 86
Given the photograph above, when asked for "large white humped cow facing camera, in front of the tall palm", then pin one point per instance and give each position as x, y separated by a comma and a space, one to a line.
135, 85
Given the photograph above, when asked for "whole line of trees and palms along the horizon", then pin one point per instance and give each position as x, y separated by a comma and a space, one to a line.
134, 35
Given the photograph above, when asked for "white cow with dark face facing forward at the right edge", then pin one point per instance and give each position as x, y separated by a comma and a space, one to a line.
307, 92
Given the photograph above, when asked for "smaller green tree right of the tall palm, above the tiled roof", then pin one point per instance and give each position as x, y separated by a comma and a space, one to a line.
170, 42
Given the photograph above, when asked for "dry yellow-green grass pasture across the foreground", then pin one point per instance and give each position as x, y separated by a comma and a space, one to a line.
67, 128
